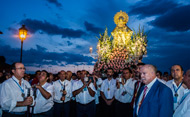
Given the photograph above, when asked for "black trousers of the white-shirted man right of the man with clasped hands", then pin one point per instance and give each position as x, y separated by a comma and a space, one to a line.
123, 109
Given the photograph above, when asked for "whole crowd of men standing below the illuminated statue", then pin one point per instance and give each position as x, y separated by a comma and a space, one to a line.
139, 91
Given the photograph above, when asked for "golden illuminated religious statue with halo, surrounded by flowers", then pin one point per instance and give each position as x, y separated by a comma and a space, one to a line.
123, 48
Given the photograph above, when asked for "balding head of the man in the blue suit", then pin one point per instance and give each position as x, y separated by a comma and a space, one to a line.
148, 73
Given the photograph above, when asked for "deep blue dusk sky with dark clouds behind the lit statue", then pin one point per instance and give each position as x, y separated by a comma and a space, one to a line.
60, 32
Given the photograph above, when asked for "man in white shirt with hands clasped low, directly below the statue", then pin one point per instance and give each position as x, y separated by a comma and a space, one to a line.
107, 92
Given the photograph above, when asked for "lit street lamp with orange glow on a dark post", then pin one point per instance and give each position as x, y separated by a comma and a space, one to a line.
22, 35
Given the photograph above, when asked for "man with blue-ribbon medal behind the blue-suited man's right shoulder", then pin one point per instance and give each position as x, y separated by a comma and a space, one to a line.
176, 85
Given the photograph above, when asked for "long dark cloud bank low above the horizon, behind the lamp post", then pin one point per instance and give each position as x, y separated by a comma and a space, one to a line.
41, 56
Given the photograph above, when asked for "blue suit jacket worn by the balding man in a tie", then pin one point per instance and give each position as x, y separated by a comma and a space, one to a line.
157, 103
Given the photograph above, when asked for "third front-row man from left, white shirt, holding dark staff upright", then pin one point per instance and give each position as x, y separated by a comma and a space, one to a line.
62, 95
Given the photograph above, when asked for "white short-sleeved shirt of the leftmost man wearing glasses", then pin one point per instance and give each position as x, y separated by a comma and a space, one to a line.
11, 93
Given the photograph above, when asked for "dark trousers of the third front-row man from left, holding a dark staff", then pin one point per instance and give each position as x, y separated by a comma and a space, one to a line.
61, 109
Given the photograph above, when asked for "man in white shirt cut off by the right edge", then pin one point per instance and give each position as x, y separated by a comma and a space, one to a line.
183, 110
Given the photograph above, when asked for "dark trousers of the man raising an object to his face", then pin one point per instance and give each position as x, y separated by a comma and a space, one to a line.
87, 110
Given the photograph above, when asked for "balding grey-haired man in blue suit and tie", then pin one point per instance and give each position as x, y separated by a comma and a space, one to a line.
154, 99
